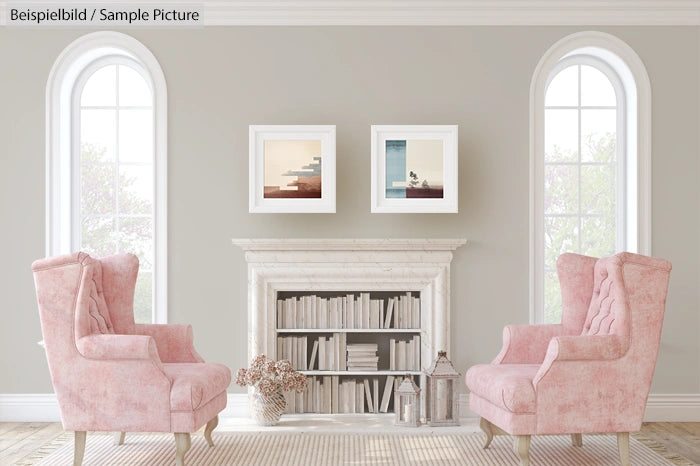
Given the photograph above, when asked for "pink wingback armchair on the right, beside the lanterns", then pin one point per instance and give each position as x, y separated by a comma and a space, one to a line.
592, 372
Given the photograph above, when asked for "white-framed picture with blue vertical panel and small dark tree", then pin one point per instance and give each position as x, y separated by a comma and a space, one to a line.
414, 168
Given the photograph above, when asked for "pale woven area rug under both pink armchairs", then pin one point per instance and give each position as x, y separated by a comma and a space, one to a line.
315, 449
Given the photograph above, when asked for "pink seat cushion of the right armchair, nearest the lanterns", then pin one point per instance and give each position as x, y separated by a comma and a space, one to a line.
508, 386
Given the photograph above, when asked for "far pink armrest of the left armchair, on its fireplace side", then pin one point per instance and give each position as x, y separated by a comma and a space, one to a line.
175, 342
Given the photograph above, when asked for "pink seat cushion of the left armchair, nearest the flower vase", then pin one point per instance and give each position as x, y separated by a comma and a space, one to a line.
195, 384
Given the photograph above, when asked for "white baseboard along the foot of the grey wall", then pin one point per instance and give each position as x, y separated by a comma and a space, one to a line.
42, 407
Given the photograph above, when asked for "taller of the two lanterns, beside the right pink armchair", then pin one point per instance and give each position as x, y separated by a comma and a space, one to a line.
441, 398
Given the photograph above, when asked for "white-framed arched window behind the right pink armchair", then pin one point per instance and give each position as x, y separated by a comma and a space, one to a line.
590, 99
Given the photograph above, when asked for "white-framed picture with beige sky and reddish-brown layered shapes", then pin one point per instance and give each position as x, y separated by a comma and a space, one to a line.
291, 168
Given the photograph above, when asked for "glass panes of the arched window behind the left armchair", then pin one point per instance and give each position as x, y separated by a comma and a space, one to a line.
116, 172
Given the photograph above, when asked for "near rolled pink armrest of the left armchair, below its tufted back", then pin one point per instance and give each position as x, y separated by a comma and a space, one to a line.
118, 347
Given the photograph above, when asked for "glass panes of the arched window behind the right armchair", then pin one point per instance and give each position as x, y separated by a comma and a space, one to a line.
581, 172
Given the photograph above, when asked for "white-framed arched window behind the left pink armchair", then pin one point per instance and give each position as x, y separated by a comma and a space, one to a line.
106, 158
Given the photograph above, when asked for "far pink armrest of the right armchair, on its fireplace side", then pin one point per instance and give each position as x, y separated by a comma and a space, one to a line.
526, 344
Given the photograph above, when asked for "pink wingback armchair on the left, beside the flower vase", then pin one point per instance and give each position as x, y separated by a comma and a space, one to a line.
110, 374
